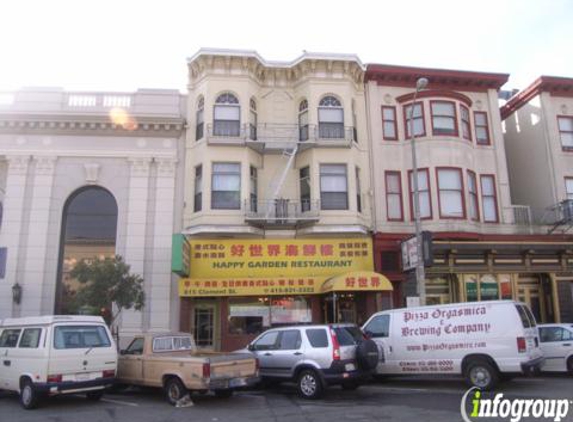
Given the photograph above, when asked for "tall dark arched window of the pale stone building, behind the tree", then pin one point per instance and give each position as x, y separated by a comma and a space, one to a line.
89, 230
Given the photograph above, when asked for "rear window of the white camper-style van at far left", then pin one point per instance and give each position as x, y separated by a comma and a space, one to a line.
80, 337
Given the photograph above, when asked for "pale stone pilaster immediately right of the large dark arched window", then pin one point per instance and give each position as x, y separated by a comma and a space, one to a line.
134, 254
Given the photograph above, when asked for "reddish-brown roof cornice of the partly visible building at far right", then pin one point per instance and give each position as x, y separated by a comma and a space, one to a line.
555, 86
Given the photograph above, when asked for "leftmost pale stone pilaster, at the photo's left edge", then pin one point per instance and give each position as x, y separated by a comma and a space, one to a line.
11, 233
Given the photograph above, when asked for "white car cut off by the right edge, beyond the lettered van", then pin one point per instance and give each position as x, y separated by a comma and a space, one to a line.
557, 345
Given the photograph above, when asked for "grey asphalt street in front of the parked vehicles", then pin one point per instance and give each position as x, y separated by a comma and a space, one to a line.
396, 399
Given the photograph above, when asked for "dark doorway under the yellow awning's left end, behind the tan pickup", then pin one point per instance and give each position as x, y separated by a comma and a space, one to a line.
205, 323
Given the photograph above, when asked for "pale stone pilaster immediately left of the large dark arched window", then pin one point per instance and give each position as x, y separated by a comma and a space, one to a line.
34, 276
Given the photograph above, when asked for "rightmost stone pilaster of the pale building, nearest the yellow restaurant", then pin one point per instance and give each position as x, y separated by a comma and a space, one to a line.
159, 295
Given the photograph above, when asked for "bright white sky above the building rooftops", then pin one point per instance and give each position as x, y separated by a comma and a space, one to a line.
121, 45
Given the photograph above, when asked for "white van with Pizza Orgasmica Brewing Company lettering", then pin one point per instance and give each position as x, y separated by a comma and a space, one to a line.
483, 341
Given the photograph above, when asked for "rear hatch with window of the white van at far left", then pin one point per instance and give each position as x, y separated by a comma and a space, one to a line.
81, 352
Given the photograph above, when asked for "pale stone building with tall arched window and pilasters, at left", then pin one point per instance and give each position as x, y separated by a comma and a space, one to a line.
84, 174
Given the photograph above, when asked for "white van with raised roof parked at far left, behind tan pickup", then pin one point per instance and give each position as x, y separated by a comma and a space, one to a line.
52, 355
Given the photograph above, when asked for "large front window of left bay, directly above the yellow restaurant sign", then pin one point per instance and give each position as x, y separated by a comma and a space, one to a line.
226, 186
